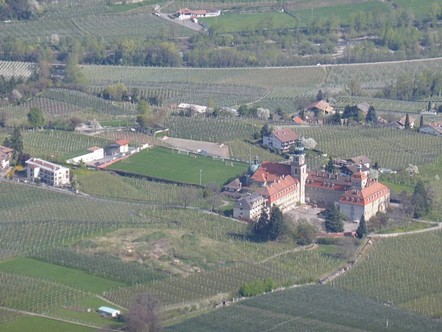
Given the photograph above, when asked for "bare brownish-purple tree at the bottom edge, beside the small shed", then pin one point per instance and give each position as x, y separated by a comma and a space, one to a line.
144, 314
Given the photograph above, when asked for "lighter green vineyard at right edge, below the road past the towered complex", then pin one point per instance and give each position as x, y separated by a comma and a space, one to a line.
401, 272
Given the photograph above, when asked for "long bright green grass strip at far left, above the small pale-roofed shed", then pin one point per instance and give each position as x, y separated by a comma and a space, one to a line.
66, 276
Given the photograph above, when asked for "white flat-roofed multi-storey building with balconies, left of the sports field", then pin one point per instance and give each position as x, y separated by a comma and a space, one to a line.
50, 173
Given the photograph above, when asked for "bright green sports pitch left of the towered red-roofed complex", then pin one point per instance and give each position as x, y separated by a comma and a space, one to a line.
170, 165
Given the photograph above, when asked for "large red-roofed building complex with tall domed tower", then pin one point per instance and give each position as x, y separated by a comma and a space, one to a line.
286, 184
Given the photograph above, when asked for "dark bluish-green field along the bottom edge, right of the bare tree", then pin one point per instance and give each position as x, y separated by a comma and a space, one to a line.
310, 308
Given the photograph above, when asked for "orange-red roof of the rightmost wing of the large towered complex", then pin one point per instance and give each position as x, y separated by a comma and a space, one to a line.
372, 192
